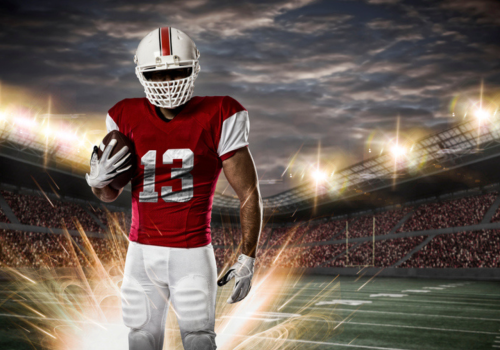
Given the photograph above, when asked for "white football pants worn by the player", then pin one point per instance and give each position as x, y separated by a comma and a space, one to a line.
154, 276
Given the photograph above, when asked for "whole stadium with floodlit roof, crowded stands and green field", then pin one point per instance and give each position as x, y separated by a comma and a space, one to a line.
399, 251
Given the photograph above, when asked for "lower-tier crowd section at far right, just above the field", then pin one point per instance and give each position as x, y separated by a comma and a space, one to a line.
459, 250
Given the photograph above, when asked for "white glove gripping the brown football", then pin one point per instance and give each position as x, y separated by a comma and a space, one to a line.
104, 170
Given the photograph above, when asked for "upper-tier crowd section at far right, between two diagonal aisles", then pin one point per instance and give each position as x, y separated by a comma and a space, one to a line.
453, 213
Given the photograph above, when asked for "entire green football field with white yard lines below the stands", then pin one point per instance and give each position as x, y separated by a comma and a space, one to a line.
317, 312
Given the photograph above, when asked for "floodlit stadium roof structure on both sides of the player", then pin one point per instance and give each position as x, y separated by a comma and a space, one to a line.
456, 147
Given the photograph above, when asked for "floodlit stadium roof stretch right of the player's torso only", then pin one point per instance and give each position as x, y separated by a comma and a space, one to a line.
457, 146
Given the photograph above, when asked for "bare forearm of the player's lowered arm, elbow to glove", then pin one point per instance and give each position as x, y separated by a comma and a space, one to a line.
251, 223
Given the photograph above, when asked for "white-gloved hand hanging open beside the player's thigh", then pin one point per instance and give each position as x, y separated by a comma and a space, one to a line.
242, 271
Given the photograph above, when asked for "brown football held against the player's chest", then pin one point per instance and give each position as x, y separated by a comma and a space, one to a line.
121, 140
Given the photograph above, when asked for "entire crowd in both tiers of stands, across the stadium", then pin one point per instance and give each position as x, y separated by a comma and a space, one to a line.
290, 246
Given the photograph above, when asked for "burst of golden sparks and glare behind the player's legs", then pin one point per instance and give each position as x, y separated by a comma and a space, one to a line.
80, 308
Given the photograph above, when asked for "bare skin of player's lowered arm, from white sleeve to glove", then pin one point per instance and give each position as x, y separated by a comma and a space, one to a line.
242, 176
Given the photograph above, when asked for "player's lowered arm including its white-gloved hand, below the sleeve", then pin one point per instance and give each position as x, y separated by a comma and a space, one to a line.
242, 176
